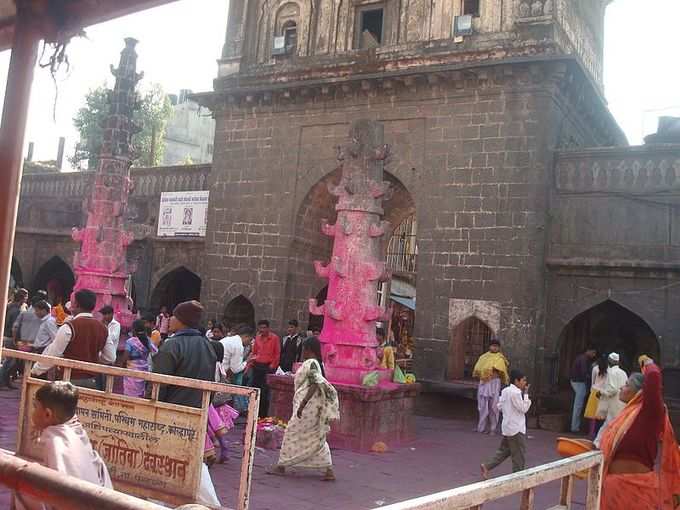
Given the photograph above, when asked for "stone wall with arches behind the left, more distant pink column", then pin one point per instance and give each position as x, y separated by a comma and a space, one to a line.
52, 204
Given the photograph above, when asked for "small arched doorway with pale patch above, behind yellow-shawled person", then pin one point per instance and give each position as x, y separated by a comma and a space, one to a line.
469, 340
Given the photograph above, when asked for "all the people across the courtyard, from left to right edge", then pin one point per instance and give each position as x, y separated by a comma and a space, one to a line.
628, 421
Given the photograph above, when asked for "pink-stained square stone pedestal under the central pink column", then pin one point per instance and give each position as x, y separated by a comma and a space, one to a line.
367, 415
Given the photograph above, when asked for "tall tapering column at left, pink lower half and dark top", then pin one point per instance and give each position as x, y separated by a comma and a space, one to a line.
101, 264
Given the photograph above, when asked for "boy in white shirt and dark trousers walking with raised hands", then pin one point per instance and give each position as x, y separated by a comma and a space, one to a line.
514, 404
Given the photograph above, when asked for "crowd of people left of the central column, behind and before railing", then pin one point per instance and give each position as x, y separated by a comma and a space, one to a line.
174, 344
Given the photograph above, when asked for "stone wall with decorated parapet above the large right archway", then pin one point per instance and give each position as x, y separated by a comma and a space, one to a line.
614, 237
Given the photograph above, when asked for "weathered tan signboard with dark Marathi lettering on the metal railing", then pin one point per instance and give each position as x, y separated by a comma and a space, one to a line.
152, 449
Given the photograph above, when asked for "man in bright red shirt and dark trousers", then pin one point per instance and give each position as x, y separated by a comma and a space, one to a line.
264, 360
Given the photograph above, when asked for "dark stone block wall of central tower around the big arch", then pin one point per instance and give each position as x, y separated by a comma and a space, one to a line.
472, 153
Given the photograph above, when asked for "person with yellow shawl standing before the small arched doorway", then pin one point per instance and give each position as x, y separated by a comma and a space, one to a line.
492, 370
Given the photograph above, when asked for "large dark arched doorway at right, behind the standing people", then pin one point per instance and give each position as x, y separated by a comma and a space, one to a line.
608, 327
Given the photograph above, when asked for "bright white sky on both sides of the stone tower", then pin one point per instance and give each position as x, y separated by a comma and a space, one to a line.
180, 43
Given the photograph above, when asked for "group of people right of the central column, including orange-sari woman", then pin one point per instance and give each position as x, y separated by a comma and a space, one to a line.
628, 423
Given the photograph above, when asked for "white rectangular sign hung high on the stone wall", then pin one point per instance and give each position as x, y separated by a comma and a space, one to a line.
183, 213
